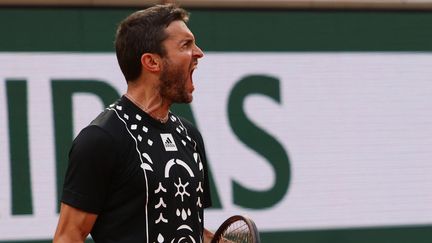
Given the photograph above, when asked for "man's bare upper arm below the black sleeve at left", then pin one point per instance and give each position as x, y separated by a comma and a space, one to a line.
74, 225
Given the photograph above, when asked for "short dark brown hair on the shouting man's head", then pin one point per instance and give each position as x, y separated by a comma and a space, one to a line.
143, 32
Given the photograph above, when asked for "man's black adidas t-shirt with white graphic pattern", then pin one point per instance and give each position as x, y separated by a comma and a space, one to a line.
146, 180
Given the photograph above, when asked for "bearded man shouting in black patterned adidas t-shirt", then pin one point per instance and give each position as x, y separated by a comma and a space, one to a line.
138, 172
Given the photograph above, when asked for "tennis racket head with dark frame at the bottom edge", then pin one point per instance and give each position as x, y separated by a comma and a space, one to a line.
237, 229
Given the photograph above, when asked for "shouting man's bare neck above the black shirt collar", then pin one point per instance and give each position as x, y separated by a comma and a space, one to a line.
152, 104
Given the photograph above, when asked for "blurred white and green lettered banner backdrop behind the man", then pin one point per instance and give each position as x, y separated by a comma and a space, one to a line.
316, 114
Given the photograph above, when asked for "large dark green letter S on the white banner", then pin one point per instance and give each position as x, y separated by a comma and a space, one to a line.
258, 140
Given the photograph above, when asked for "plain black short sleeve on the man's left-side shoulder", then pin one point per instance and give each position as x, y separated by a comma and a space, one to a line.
91, 161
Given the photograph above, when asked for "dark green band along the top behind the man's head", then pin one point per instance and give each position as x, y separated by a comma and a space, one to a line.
93, 30
